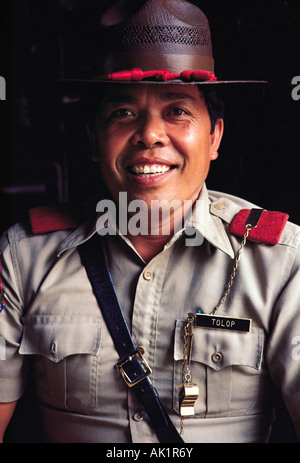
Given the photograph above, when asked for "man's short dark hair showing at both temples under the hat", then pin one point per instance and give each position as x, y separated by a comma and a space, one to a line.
215, 106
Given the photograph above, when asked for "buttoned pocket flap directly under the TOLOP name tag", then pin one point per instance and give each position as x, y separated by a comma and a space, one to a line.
219, 348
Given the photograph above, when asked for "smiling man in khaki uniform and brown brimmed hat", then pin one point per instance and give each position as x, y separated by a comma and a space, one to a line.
207, 283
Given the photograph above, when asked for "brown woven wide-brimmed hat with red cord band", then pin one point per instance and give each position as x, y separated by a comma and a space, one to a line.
154, 41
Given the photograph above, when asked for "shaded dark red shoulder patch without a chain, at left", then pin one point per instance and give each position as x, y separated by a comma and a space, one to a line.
53, 218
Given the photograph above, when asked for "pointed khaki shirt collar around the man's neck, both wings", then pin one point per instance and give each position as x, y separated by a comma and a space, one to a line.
207, 224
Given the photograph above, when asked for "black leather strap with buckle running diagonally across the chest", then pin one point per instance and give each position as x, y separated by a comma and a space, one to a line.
134, 369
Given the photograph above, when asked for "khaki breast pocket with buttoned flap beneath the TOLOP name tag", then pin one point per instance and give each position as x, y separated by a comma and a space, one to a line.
226, 366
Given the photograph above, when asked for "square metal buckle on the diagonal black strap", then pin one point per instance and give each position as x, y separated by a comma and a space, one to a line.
134, 368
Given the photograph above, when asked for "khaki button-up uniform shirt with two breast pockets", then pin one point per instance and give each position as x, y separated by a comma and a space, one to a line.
52, 319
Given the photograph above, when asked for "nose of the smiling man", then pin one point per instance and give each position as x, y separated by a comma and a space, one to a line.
150, 132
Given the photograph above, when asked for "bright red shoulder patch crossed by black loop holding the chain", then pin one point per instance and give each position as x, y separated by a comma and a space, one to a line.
268, 230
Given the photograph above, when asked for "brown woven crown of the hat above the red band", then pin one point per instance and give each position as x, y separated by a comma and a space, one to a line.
167, 34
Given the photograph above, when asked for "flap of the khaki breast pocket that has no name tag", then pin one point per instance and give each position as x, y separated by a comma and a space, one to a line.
57, 337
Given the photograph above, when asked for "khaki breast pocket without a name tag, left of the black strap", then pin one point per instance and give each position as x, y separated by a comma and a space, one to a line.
64, 351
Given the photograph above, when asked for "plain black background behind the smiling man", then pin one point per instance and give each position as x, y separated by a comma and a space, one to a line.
45, 155
